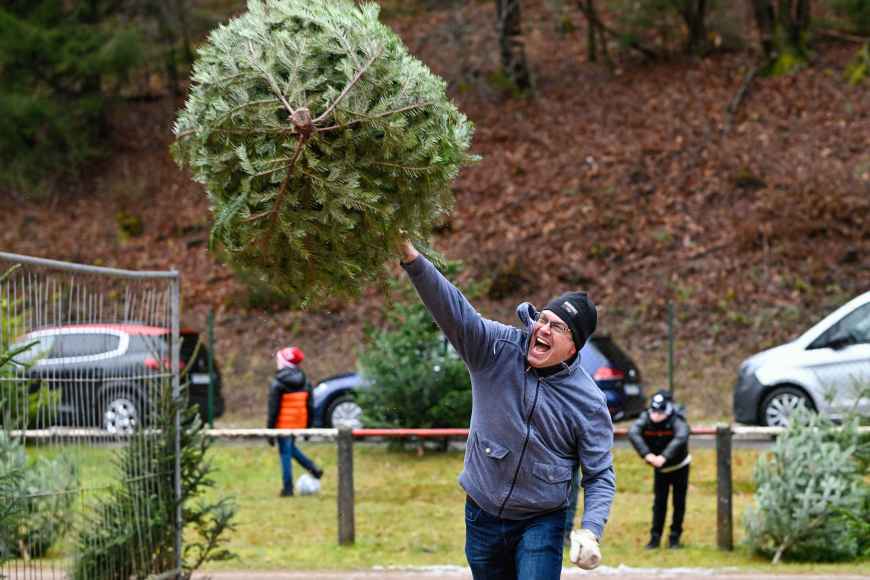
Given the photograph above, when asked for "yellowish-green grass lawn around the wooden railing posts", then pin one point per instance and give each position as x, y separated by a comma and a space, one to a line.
409, 511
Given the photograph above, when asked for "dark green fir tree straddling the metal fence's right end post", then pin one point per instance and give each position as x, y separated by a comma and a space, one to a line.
113, 543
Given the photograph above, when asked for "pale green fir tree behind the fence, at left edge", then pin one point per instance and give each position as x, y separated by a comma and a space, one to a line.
42, 492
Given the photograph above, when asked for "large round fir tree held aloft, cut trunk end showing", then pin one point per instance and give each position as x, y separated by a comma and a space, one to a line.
321, 142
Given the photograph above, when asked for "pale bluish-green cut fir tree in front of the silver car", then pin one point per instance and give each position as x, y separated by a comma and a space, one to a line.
811, 502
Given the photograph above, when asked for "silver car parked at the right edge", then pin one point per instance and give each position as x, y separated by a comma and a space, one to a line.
824, 369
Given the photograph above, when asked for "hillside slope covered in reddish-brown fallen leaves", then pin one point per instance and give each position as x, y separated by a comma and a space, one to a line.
622, 184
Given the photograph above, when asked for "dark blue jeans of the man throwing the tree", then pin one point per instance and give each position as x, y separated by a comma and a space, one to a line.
500, 549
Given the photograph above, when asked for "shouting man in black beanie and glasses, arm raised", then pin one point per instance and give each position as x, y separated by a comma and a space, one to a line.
535, 415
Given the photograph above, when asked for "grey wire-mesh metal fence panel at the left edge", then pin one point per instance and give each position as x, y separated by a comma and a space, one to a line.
89, 440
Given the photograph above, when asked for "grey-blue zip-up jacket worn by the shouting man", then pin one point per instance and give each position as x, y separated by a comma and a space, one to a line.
527, 433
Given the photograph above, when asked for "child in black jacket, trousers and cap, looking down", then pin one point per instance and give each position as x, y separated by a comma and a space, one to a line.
661, 437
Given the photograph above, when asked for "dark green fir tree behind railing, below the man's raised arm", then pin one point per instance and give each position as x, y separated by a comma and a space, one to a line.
419, 381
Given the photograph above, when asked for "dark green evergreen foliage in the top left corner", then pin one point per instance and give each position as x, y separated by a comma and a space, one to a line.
55, 61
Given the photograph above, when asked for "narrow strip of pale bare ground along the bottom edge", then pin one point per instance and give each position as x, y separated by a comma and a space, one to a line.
456, 573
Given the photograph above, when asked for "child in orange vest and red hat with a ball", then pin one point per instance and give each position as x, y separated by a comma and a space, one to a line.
290, 408
